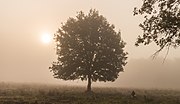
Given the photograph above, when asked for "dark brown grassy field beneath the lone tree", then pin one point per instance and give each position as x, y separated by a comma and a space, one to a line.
57, 94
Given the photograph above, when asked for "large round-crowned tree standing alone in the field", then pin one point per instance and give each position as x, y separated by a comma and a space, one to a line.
88, 48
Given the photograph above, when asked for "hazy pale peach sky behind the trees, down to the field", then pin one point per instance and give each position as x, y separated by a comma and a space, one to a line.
25, 58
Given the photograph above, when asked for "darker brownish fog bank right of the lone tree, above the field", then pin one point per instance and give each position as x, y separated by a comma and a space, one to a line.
148, 73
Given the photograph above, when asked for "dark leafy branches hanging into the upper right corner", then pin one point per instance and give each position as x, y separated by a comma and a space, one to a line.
161, 23
